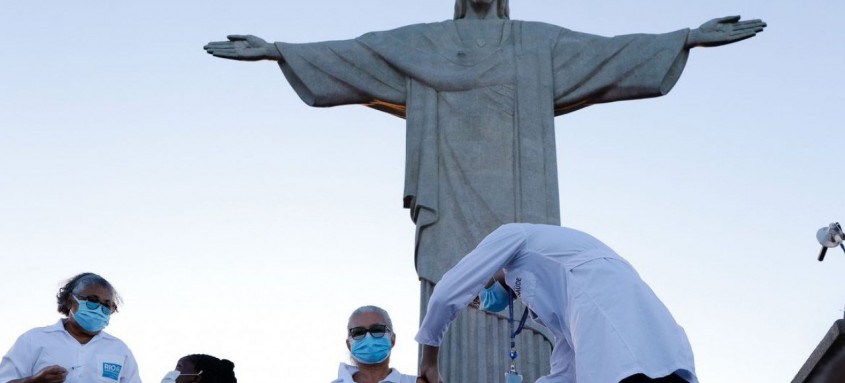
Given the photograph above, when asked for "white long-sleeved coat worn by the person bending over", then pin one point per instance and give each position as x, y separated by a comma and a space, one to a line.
606, 321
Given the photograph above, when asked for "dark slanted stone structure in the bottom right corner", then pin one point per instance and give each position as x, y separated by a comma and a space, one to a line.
827, 362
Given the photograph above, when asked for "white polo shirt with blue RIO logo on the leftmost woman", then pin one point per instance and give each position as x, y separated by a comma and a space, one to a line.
103, 359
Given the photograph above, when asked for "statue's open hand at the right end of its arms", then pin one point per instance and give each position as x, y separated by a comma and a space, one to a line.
724, 30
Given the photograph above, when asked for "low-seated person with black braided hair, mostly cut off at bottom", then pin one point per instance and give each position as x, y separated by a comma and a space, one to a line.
202, 368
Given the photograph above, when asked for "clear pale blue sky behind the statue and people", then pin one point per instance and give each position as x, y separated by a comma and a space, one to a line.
239, 222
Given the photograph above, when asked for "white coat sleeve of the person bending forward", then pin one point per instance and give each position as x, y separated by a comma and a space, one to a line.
464, 281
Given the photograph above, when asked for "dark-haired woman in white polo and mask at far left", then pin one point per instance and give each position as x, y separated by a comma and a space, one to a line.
75, 349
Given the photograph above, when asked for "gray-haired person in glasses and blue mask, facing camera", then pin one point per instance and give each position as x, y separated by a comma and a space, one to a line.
370, 338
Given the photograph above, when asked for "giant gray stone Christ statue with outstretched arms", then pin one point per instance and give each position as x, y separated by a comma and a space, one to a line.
479, 95
